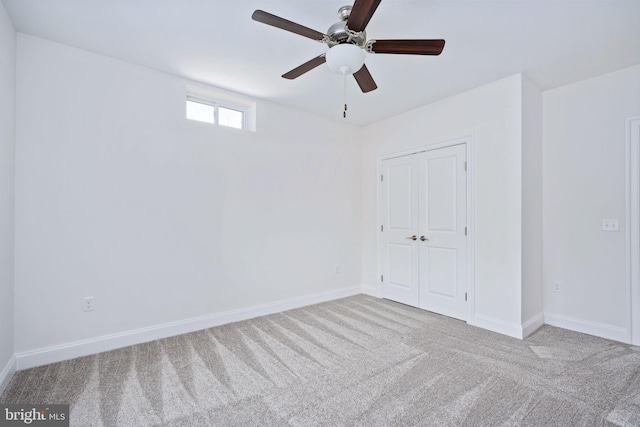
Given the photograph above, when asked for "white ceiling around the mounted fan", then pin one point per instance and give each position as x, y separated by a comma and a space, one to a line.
553, 42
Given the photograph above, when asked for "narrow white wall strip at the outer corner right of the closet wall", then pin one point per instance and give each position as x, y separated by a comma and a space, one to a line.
532, 301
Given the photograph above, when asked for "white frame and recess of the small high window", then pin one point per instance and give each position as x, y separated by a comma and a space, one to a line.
218, 98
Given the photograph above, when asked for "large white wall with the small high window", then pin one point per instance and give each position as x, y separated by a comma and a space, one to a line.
163, 219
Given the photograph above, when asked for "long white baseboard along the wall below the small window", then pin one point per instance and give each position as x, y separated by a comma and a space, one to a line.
58, 353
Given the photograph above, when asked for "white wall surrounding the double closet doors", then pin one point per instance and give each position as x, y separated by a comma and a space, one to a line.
491, 114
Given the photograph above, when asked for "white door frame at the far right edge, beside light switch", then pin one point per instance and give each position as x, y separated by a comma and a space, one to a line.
632, 206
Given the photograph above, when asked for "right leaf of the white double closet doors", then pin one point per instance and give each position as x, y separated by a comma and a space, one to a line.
443, 244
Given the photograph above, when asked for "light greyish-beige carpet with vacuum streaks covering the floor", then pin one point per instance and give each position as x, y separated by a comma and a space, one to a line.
354, 361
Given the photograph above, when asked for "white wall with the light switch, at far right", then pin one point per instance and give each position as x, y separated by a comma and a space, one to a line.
584, 182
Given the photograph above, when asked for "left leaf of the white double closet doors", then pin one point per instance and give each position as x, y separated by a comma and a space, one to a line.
400, 219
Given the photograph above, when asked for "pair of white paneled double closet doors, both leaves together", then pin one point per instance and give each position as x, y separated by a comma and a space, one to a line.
423, 235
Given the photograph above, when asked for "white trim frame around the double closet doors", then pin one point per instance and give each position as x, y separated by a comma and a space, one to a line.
470, 184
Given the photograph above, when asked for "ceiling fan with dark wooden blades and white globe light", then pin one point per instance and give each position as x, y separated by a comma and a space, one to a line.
347, 42
